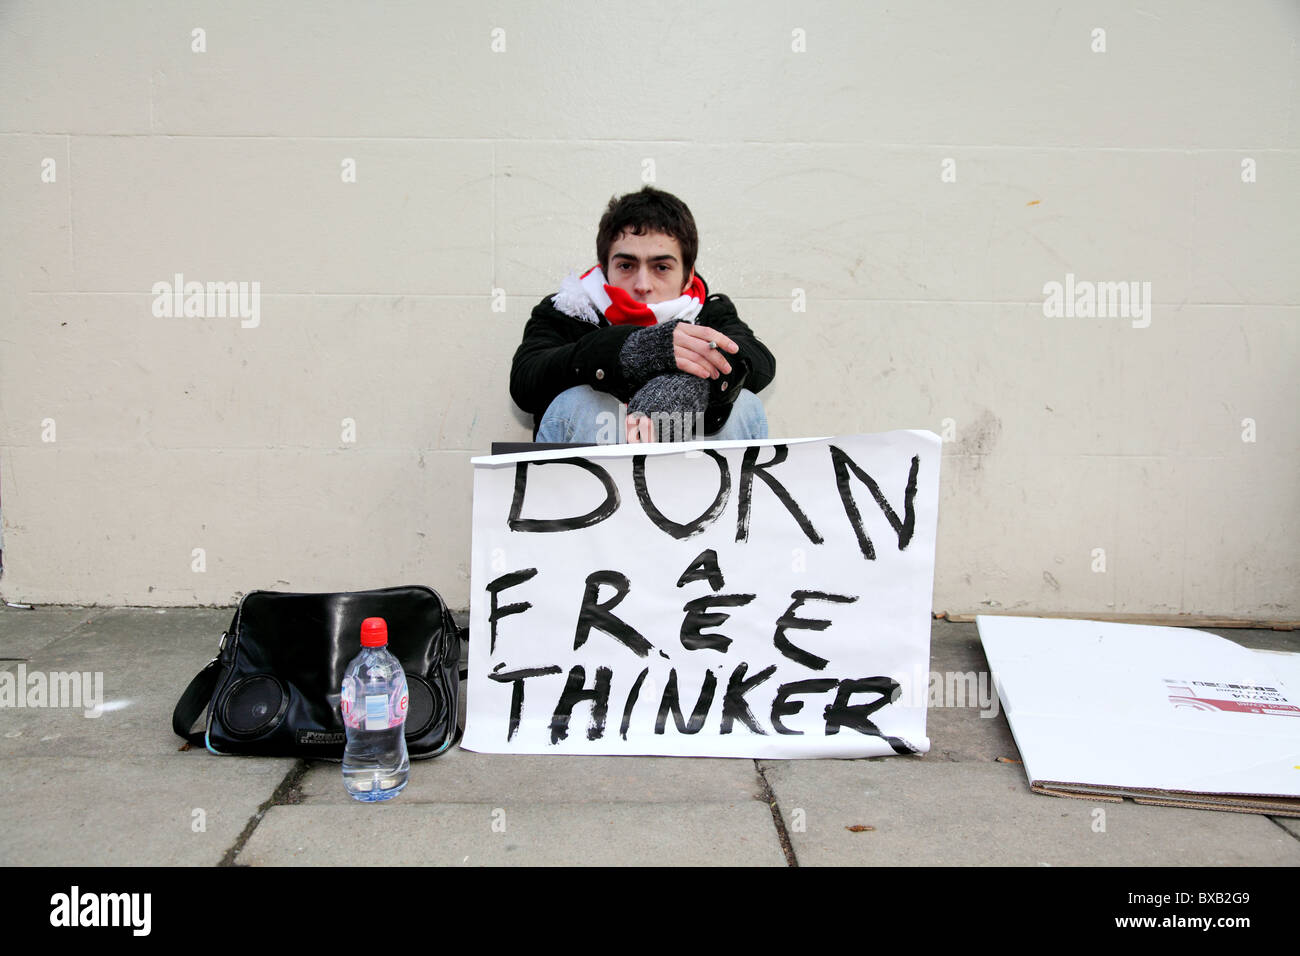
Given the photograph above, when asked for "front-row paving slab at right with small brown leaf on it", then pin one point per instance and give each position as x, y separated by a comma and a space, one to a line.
969, 815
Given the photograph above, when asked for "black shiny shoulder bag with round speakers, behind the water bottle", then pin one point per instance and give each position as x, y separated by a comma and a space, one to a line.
274, 690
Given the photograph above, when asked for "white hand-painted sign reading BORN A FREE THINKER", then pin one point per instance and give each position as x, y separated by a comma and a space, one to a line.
720, 599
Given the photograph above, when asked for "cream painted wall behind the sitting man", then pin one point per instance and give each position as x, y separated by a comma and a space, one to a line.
811, 142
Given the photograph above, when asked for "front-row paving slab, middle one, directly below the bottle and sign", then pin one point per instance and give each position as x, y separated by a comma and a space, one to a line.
398, 833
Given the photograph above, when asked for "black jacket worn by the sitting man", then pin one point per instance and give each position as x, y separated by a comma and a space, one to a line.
561, 352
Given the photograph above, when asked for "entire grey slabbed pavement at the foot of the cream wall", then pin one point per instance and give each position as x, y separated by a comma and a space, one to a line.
115, 789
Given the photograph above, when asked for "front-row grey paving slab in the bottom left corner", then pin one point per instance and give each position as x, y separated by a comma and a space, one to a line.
187, 810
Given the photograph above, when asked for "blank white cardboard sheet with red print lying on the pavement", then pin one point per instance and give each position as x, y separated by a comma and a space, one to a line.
1117, 708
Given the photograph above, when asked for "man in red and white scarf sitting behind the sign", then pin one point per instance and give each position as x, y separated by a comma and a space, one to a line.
638, 349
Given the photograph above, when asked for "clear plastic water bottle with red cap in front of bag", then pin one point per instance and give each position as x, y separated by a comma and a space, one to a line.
375, 706
